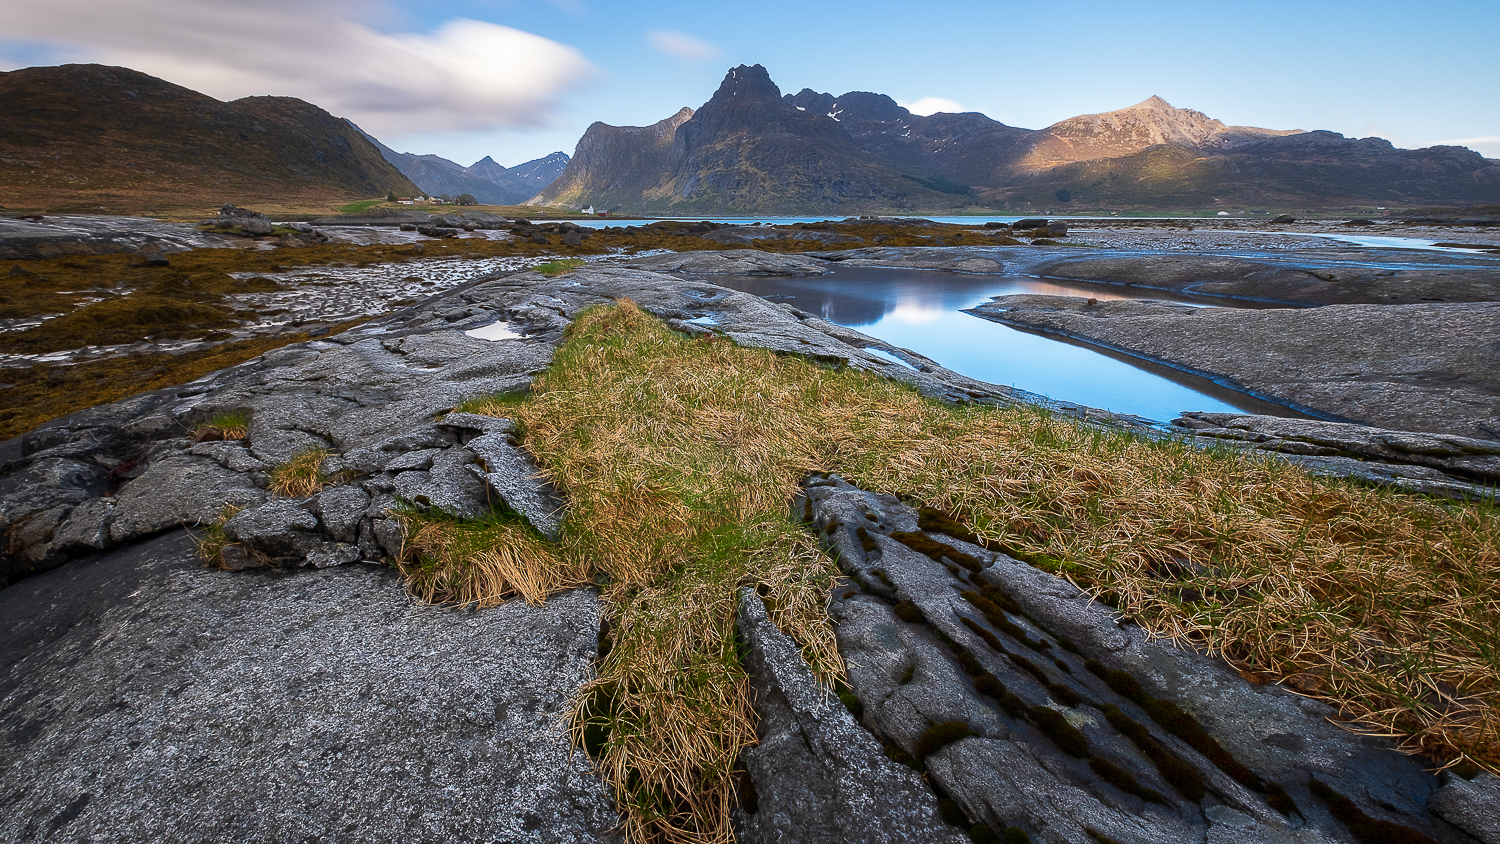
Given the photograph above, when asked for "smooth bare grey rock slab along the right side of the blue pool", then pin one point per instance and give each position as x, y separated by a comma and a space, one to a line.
1405, 367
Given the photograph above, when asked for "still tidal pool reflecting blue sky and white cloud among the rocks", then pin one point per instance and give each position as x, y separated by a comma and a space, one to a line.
922, 311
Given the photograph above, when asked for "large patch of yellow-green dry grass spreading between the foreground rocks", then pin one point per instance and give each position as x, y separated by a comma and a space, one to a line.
680, 458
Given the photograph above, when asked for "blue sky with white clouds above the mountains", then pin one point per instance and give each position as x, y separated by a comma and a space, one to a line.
518, 80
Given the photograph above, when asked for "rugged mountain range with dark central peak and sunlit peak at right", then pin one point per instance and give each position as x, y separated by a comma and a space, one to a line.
752, 151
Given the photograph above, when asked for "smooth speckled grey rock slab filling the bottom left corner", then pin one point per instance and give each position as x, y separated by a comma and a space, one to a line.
325, 702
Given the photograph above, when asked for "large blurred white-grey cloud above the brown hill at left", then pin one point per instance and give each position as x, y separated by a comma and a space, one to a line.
461, 77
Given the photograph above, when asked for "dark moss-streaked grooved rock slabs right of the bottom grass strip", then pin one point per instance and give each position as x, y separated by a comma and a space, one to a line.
1034, 710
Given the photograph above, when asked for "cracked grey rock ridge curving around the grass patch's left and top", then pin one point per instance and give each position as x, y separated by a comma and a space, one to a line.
379, 403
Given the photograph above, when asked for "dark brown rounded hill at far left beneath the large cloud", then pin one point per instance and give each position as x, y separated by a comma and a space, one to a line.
82, 137
